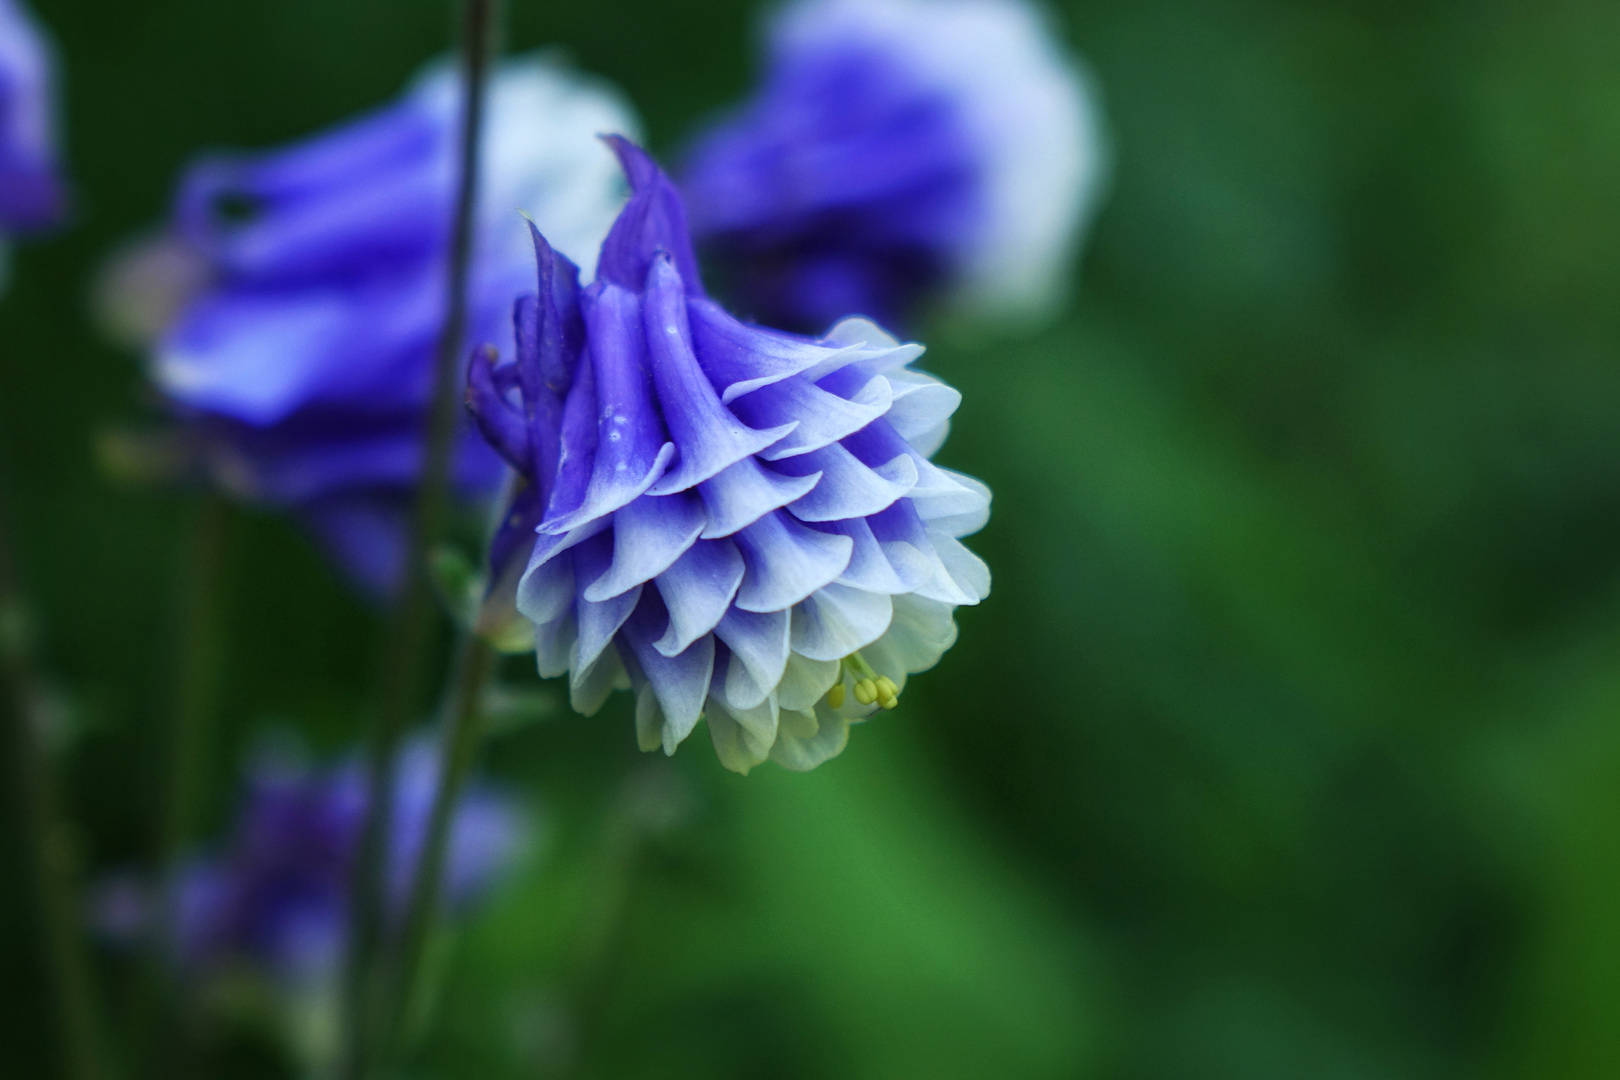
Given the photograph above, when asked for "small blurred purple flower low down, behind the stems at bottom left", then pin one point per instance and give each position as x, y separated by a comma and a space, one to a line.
278, 896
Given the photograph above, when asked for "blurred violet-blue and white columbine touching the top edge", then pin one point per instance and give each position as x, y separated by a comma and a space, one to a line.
902, 148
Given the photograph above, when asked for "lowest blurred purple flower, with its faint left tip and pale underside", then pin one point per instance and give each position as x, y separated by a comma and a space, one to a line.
271, 906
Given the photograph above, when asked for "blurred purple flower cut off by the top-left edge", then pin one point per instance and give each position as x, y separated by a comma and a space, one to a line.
32, 193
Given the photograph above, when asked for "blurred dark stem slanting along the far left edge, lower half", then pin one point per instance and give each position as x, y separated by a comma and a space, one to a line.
48, 838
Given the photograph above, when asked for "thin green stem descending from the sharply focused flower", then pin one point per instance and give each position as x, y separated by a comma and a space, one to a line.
463, 736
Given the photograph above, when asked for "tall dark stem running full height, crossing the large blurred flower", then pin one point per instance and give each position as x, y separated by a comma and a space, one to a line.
414, 621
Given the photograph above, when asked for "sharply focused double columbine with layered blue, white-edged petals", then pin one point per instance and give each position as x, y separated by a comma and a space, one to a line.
735, 522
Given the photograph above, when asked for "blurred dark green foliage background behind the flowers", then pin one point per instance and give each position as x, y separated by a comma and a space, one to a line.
1289, 744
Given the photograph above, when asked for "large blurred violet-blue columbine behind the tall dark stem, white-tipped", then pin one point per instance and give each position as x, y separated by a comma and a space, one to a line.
299, 294
